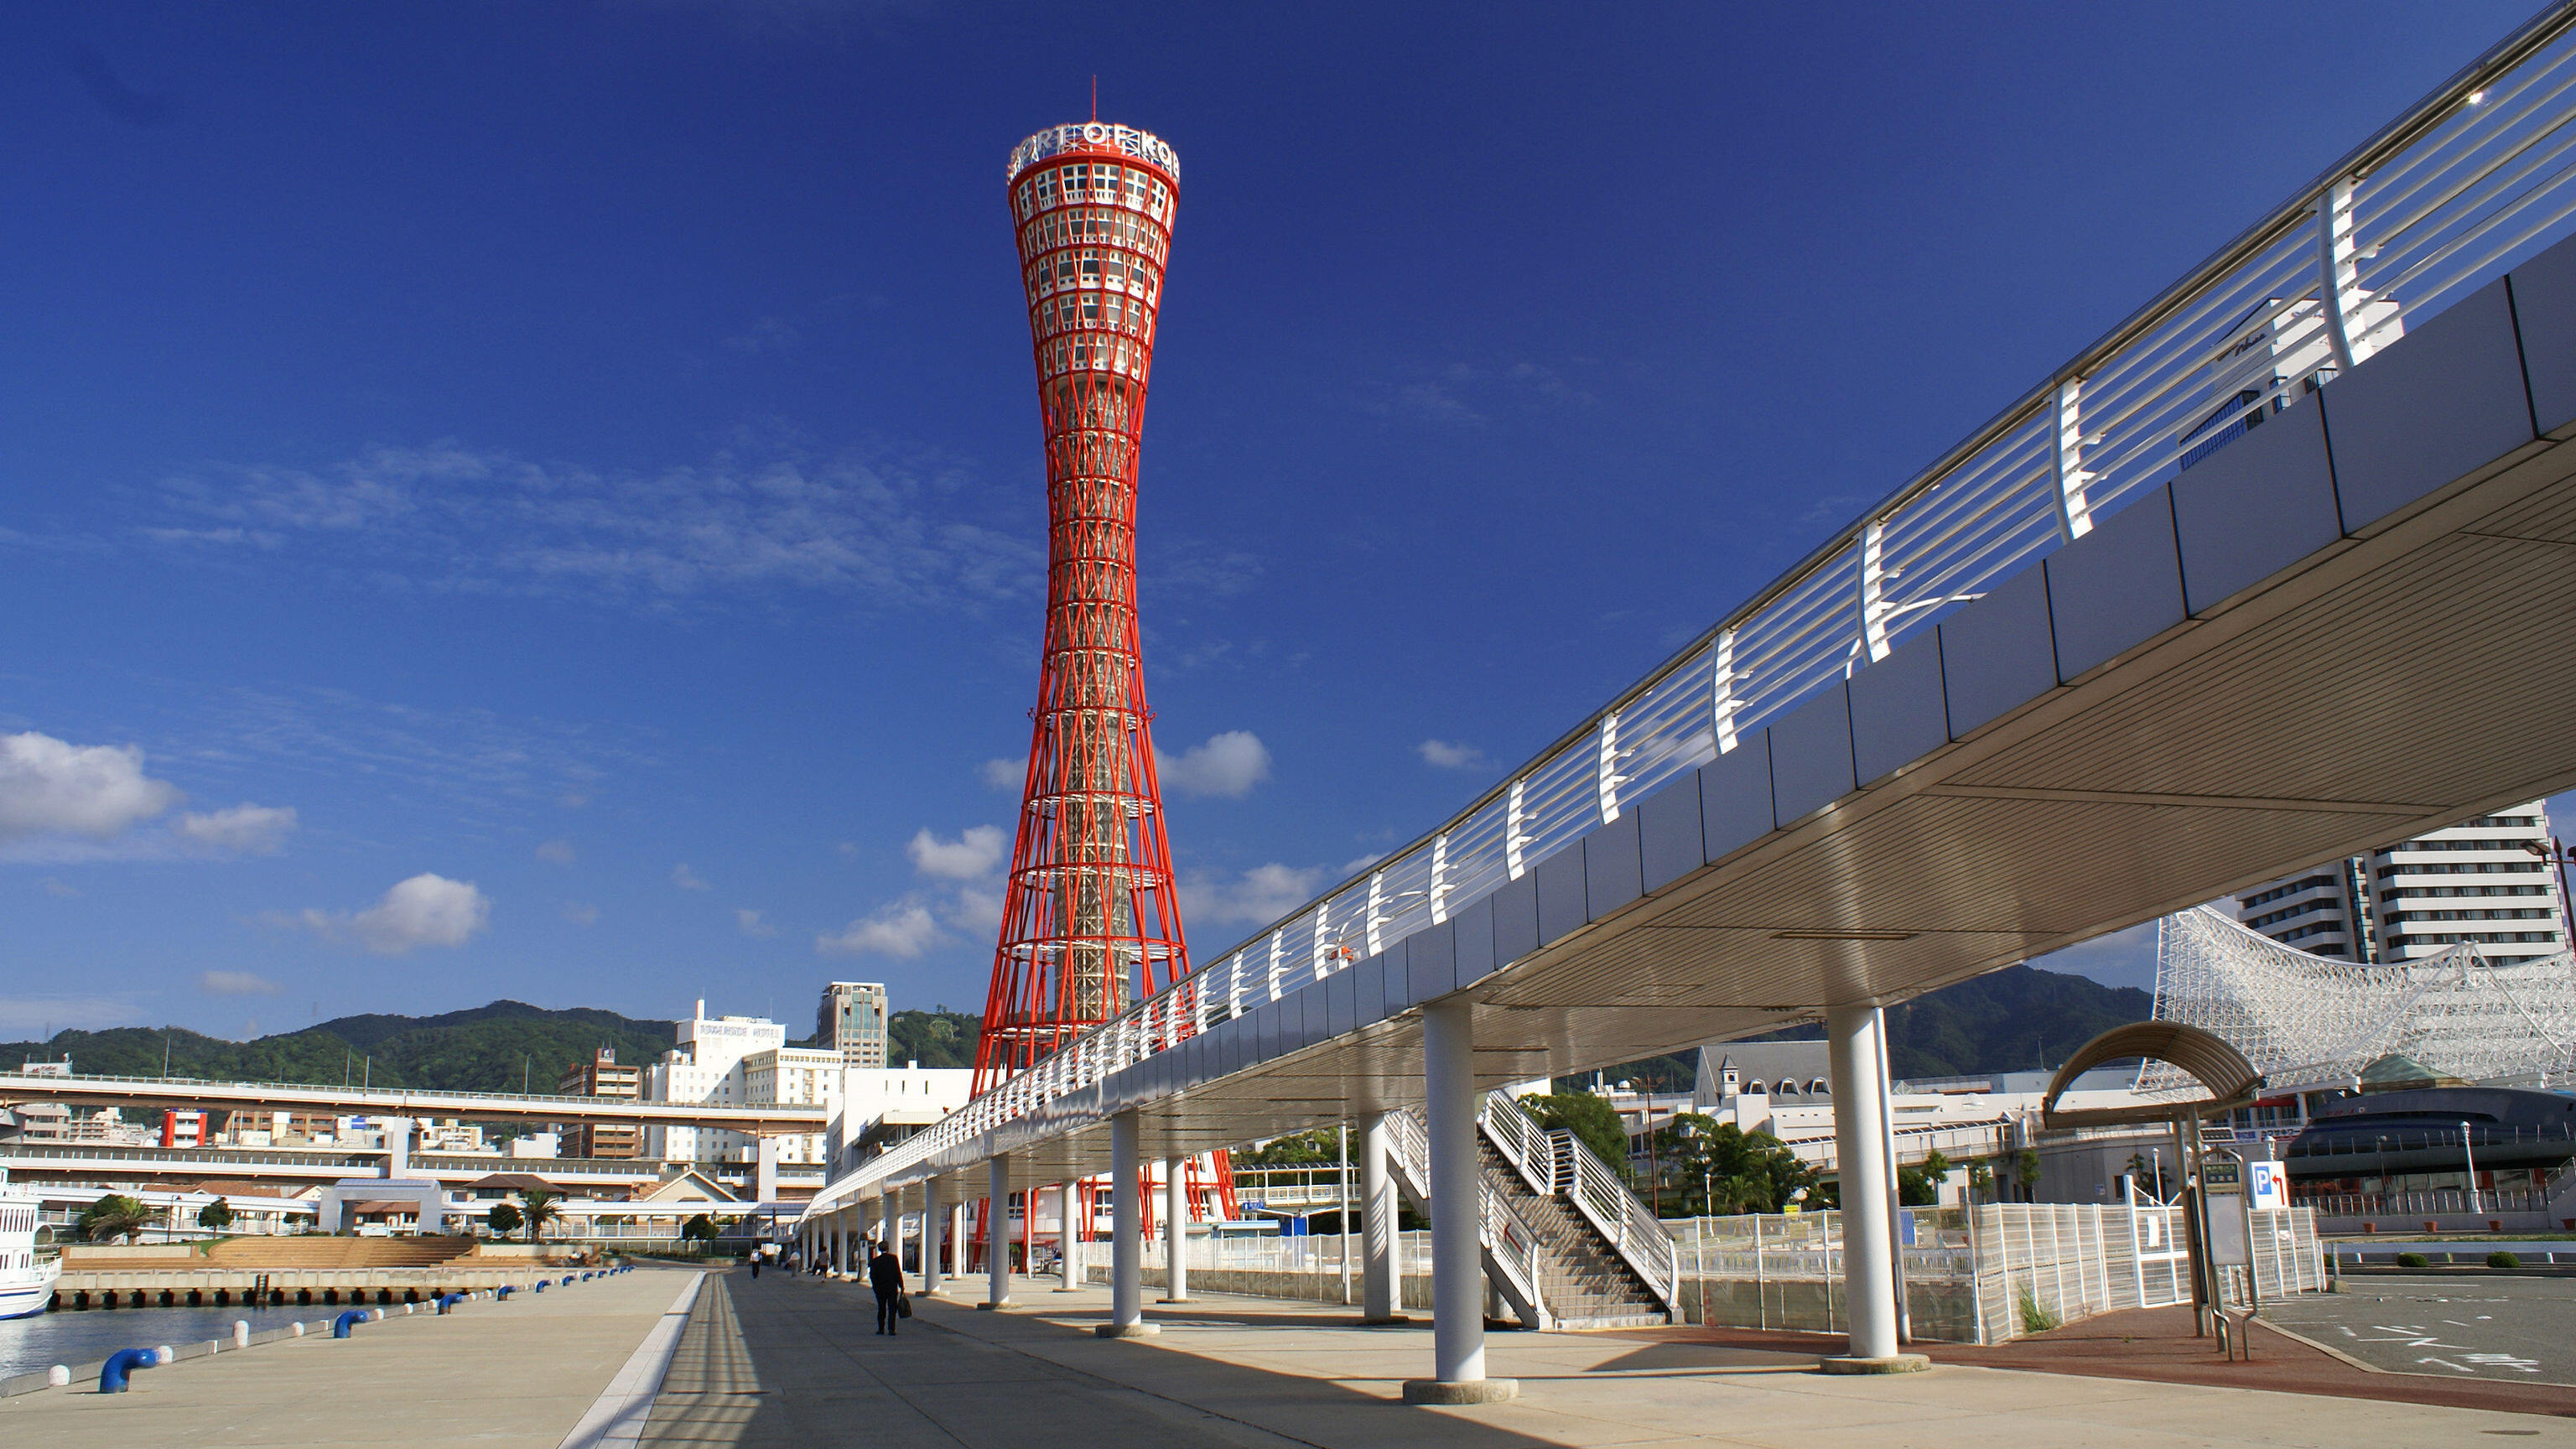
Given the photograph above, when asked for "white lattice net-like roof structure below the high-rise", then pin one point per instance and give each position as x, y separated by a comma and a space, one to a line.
2315, 1022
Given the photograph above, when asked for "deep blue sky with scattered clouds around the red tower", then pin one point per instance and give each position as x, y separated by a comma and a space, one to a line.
545, 499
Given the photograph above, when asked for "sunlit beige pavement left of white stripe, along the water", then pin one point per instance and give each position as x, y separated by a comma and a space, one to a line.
498, 1376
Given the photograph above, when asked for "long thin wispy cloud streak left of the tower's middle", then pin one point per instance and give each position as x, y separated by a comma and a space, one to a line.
908, 532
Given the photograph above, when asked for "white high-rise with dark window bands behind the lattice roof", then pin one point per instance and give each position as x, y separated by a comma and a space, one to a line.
2482, 883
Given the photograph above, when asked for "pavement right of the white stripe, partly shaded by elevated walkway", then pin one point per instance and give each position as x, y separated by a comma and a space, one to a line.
797, 1363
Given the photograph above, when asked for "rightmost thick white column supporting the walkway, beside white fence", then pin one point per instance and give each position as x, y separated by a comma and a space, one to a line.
1861, 1167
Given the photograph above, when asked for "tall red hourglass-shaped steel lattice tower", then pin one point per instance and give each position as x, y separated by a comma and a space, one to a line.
1091, 922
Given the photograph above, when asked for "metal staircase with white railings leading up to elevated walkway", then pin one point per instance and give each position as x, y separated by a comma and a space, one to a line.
1562, 1239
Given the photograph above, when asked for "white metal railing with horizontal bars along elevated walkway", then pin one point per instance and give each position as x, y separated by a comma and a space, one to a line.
2441, 202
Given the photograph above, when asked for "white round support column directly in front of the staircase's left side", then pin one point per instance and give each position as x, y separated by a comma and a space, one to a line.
1449, 1079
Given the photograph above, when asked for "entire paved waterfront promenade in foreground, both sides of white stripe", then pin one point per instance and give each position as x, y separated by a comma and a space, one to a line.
795, 1363
